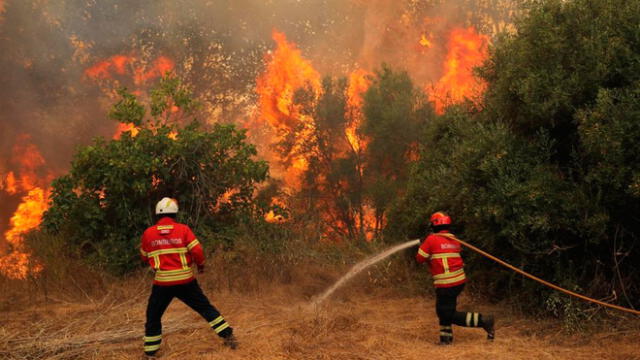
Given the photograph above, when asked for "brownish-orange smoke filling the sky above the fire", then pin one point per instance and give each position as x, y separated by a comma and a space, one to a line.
218, 48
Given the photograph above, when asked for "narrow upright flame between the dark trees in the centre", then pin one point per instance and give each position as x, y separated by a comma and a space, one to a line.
359, 82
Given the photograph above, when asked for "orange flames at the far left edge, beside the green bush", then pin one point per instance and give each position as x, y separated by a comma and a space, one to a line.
18, 262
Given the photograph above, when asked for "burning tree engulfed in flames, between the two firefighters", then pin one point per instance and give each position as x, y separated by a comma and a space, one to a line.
344, 143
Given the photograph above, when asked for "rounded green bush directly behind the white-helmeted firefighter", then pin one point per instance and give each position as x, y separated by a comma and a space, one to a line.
107, 199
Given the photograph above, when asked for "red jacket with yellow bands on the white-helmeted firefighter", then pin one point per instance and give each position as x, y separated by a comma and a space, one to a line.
171, 249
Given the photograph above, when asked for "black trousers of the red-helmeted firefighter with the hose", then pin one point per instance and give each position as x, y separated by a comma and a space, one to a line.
446, 302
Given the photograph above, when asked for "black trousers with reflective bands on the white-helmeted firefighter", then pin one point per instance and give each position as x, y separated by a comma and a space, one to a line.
190, 294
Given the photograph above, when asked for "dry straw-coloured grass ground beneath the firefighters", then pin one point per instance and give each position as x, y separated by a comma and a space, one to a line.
276, 322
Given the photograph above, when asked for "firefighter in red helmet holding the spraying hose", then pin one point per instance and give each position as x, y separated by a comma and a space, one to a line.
442, 250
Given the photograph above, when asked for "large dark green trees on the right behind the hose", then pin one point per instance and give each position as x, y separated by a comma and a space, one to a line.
546, 175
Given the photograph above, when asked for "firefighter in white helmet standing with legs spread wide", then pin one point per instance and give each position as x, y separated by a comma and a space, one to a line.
172, 250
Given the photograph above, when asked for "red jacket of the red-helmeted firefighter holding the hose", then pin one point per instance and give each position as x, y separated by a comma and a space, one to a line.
443, 252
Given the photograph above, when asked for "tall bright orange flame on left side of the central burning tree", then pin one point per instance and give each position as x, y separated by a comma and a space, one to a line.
287, 71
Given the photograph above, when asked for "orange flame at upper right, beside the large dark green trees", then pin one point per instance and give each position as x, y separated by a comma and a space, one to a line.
466, 49
